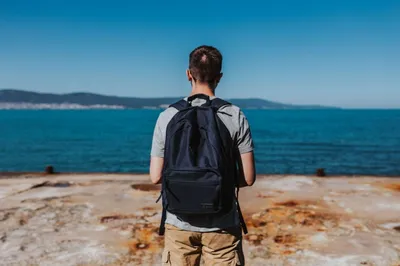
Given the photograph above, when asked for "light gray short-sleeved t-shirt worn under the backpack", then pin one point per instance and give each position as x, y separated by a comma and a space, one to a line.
239, 128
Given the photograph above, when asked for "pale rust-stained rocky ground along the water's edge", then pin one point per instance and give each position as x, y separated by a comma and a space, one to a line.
107, 219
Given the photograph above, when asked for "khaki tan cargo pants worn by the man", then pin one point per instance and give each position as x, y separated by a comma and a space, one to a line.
216, 248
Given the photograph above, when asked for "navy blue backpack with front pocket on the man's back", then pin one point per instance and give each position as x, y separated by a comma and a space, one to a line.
200, 172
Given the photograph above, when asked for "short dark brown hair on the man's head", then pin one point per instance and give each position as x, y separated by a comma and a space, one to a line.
205, 63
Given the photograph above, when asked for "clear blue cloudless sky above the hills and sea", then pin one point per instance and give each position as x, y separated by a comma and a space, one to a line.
342, 53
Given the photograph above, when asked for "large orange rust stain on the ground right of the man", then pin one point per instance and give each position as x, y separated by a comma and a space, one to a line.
278, 227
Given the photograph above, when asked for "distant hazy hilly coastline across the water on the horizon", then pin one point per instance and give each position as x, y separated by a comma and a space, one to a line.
21, 99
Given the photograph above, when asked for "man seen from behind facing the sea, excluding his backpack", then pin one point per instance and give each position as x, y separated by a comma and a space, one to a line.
215, 238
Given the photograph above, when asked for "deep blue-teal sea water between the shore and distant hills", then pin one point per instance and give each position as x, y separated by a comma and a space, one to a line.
353, 142
